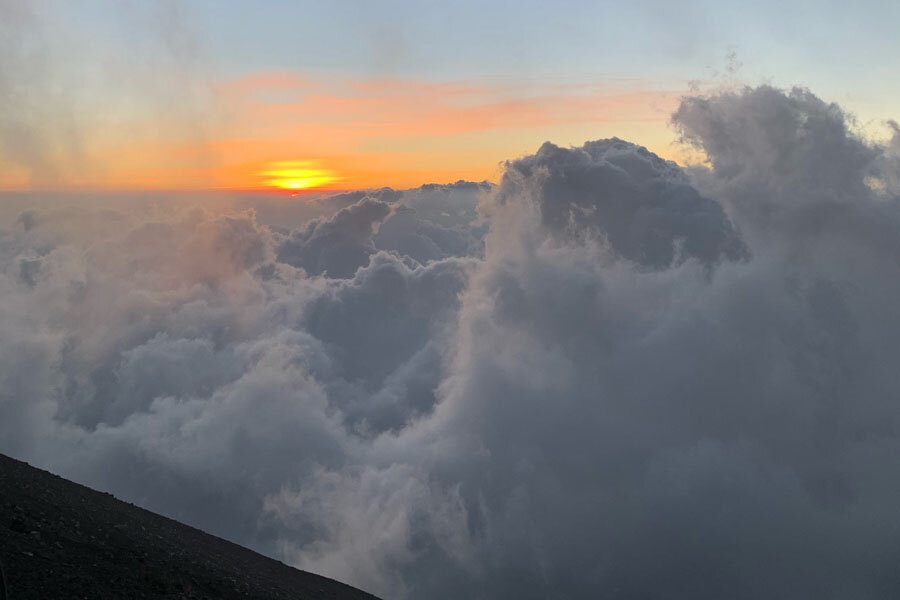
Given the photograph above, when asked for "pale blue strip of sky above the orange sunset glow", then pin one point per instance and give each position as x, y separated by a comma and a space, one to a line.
844, 51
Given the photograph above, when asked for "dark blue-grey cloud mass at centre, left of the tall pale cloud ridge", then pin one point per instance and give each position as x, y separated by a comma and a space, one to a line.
385, 332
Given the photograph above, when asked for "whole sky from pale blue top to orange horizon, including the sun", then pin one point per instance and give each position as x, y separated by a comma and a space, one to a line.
342, 95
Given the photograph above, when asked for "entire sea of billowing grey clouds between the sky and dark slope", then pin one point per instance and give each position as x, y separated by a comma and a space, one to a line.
606, 376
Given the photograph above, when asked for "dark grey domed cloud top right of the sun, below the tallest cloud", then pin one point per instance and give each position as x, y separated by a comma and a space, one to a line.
639, 204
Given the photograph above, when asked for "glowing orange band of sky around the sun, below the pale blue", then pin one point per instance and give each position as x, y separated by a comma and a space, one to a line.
365, 133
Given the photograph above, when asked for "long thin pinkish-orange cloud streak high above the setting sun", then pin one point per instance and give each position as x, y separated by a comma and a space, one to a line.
393, 107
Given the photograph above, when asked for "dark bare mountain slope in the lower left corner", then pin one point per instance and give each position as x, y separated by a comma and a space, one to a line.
59, 539
